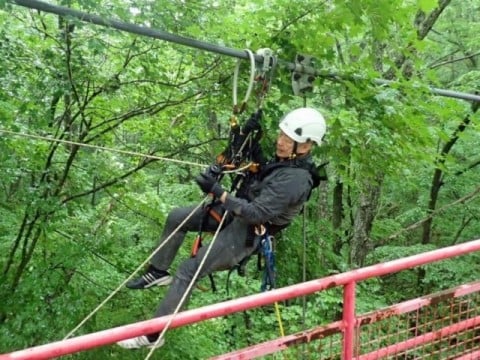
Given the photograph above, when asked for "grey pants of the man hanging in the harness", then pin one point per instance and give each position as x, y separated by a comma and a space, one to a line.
228, 250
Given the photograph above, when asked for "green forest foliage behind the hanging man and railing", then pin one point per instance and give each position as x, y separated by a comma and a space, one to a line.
103, 131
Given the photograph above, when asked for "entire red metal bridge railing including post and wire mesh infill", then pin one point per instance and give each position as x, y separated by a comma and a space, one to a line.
439, 326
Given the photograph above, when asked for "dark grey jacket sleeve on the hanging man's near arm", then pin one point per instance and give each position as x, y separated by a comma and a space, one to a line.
284, 188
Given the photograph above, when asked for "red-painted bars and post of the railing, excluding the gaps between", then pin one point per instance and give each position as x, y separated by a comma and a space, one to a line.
347, 332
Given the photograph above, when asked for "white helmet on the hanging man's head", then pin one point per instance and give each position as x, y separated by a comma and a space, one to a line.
303, 125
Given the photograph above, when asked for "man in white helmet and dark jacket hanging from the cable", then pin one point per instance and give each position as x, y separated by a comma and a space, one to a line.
273, 198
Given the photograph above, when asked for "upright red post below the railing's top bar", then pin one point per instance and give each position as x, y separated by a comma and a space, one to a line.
348, 320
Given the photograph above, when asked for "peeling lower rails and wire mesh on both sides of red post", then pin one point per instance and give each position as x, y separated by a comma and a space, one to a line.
438, 326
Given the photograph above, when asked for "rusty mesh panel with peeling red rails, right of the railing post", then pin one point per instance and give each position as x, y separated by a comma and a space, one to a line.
442, 326
